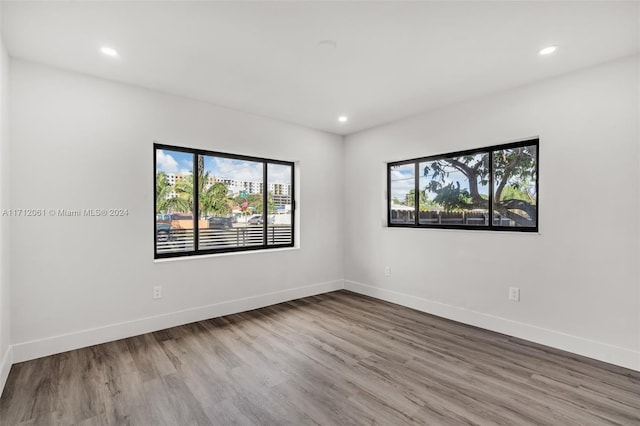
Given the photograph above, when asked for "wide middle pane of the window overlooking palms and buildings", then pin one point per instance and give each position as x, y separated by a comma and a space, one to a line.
230, 202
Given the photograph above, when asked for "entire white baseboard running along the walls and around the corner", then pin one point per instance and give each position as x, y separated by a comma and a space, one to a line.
51, 345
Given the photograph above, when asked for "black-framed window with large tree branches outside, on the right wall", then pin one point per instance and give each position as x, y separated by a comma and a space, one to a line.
459, 190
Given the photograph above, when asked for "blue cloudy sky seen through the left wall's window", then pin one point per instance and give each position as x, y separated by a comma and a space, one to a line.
225, 168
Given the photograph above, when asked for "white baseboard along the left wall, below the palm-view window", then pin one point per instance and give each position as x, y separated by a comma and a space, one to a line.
56, 344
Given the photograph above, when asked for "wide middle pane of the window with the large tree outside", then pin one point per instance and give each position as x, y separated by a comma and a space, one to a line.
455, 191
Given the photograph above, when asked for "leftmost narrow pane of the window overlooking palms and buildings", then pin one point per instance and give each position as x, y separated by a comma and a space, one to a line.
174, 201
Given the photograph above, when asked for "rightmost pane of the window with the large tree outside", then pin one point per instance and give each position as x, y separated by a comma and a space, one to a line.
515, 187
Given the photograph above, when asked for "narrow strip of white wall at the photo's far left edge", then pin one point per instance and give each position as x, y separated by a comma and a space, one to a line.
5, 221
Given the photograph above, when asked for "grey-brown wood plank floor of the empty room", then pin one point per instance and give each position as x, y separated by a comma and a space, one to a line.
333, 359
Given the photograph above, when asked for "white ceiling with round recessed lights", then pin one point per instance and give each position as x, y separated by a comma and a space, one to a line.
393, 59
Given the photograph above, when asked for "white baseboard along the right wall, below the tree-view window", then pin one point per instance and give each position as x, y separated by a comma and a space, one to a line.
597, 350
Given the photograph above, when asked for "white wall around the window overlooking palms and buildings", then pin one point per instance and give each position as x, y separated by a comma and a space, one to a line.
80, 142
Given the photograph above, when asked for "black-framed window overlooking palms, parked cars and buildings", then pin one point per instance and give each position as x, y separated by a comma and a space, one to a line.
210, 202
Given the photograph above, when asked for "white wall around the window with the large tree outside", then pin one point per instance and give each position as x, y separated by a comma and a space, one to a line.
578, 277
